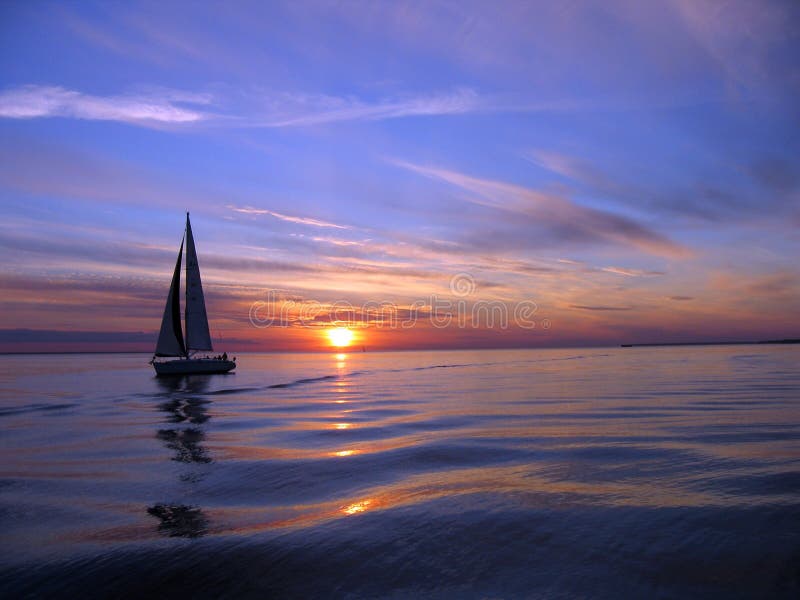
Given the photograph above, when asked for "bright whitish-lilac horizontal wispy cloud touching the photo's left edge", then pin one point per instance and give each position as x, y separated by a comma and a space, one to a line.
34, 101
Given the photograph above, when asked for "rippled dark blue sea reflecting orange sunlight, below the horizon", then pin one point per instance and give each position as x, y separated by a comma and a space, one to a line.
620, 472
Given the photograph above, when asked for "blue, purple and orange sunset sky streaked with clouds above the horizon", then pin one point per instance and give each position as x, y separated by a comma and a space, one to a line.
631, 168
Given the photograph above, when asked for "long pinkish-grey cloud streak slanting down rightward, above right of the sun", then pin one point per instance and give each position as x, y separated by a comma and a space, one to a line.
562, 217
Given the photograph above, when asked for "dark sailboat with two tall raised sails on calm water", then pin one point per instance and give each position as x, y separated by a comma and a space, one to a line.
171, 341
